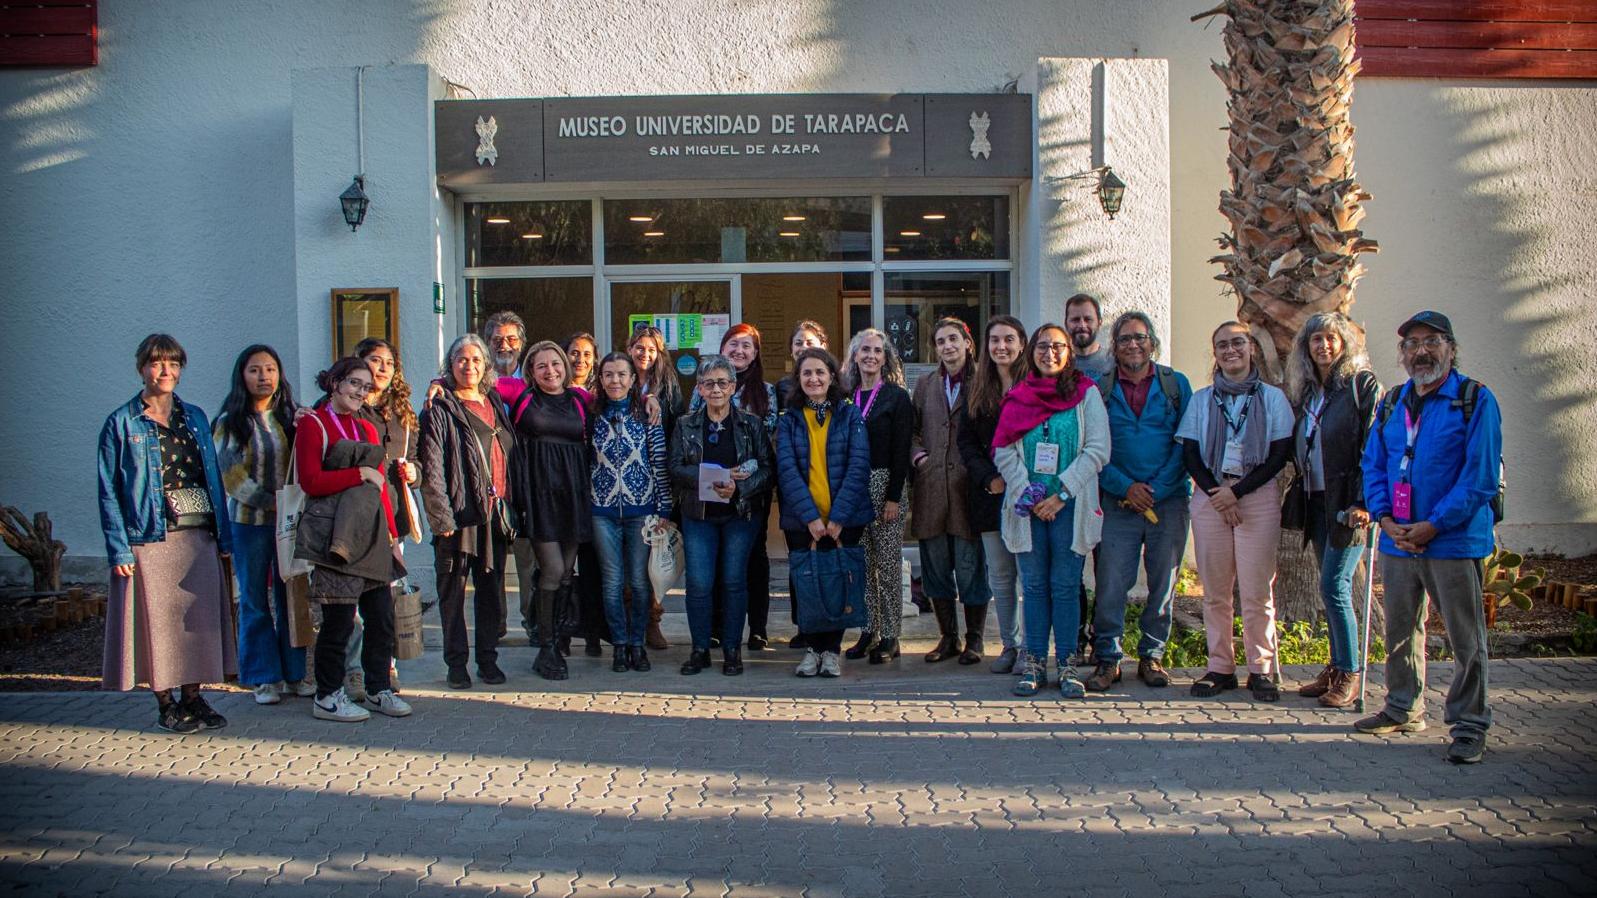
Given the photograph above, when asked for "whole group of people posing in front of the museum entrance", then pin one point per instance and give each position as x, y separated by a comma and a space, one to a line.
1016, 463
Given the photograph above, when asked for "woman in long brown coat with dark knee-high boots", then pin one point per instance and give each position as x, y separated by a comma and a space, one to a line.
953, 568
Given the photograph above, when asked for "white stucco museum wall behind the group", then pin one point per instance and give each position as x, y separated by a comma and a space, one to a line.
159, 189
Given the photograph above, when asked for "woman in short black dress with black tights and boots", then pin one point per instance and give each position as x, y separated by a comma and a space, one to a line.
552, 491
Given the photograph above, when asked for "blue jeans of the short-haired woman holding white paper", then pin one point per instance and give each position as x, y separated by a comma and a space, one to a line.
718, 547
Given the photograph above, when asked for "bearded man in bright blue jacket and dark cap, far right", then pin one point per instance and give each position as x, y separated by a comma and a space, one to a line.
1432, 471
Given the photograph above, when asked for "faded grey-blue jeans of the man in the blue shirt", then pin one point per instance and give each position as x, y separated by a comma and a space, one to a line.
1130, 538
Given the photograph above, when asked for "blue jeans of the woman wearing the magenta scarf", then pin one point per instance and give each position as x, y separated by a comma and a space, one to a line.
1052, 576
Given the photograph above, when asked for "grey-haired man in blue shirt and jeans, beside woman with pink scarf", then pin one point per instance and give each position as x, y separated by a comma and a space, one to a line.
1146, 495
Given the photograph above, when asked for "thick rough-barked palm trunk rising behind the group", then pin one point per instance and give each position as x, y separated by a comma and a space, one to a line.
1294, 204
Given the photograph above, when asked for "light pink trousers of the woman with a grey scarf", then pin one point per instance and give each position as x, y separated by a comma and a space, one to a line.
1243, 557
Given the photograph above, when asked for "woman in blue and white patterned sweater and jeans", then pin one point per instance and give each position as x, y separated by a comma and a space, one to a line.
630, 483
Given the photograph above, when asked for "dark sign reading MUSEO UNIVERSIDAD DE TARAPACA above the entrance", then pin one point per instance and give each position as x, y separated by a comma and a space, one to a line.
735, 137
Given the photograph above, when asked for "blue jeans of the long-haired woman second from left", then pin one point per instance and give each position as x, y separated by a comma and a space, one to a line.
264, 651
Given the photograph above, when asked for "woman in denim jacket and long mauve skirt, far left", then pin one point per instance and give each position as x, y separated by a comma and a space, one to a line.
170, 619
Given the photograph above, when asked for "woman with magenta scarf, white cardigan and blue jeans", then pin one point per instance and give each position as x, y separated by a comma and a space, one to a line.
1050, 447
